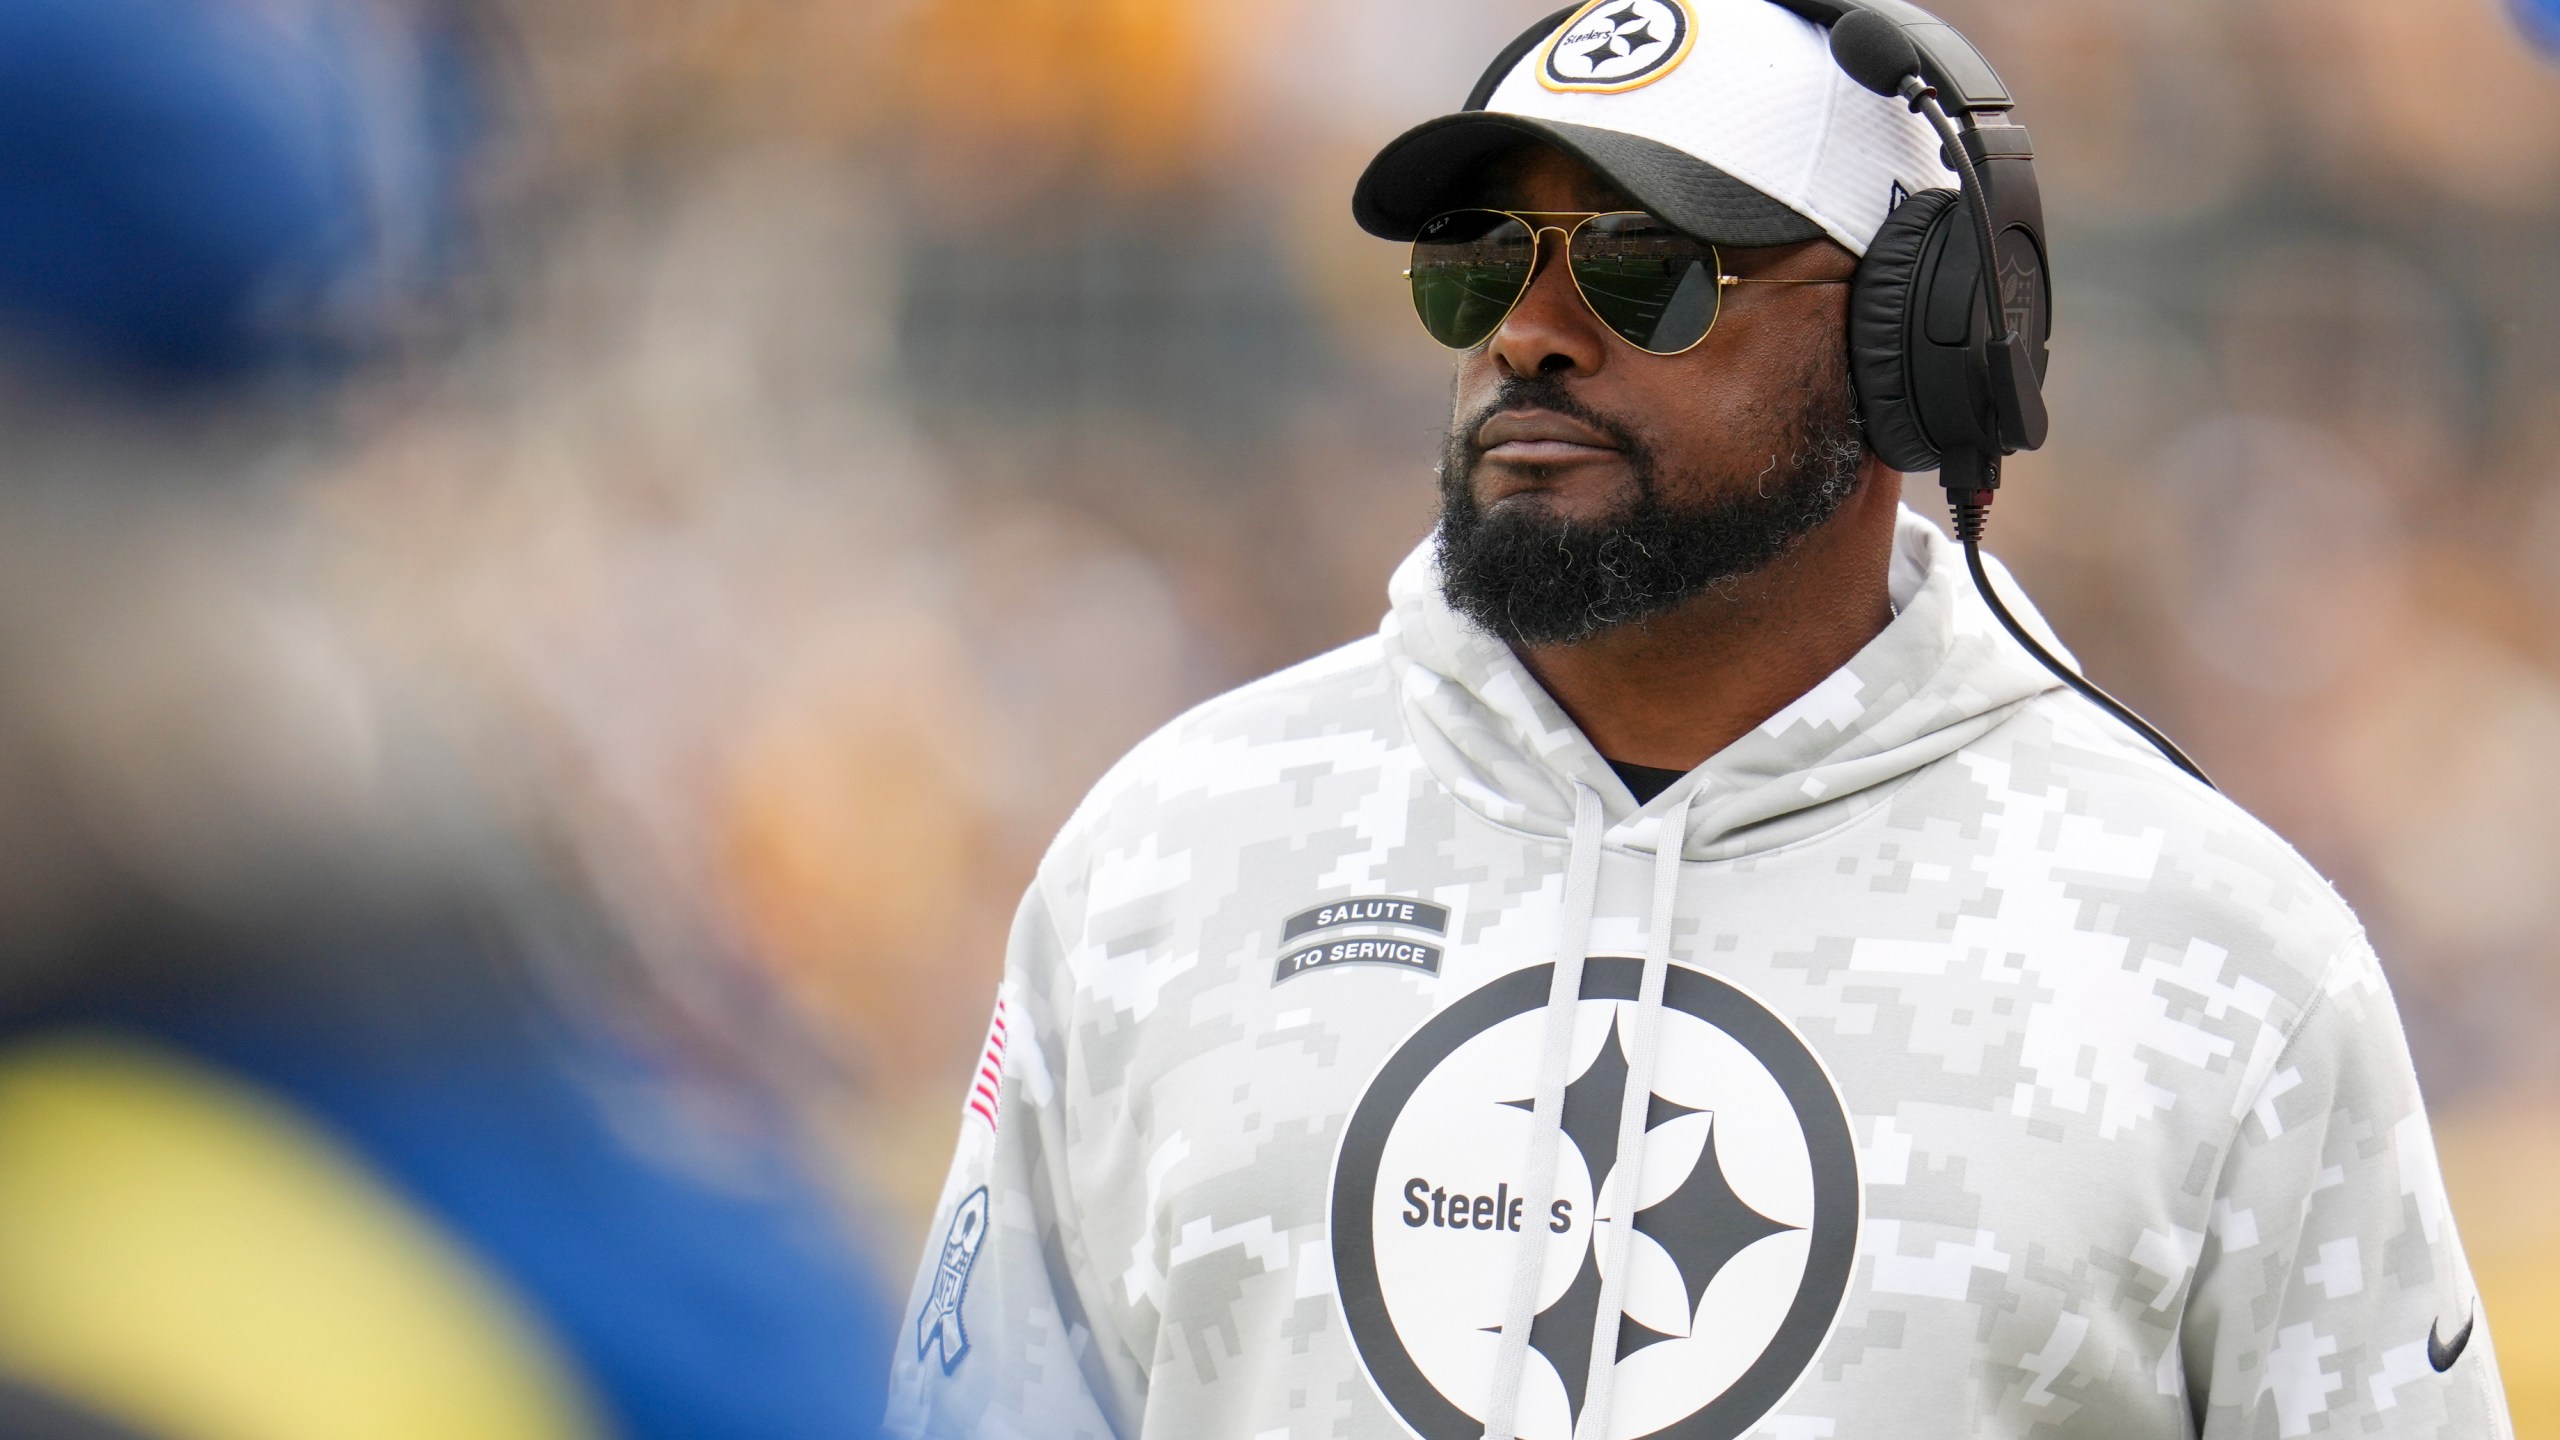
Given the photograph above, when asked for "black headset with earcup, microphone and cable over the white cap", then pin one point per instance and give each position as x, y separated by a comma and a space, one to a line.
1949, 370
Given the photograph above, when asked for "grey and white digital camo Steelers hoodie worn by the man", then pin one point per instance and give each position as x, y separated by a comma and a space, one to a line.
2136, 1141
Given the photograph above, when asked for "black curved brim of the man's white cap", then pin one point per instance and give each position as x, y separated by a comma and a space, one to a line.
1432, 170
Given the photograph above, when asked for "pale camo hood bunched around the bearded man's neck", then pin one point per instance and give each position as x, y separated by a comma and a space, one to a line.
1939, 678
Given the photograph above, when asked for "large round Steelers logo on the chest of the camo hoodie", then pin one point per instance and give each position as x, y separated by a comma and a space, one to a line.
1745, 1213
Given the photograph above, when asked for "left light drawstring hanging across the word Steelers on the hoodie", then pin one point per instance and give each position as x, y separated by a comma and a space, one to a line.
1548, 1113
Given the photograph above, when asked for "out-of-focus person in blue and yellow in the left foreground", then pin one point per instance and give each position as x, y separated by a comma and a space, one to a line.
301, 1134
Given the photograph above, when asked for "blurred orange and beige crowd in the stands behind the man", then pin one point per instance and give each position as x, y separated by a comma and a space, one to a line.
864, 419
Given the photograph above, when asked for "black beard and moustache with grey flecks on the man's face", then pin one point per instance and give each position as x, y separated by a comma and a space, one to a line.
1542, 580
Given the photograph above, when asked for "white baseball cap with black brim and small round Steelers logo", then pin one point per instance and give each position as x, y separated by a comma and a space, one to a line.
1727, 119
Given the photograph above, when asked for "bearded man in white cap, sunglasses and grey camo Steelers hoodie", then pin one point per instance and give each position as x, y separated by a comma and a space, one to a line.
1688, 847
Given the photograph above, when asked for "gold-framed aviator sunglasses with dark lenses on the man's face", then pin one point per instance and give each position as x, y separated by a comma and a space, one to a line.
1652, 286
